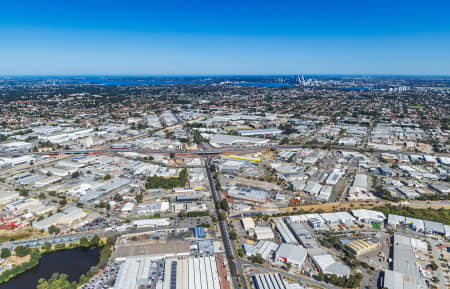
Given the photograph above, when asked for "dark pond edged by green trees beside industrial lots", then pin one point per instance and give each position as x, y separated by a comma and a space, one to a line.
72, 262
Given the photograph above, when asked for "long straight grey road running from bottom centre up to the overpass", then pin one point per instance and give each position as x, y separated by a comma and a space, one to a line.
230, 251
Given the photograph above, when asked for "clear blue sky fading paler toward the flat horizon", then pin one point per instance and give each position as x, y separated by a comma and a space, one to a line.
226, 37
